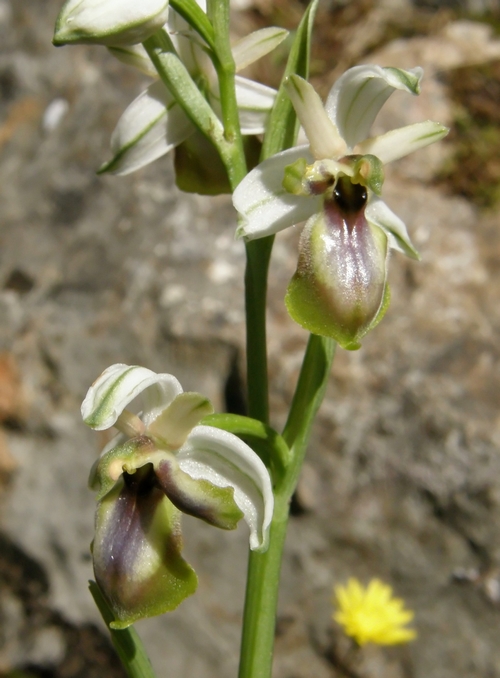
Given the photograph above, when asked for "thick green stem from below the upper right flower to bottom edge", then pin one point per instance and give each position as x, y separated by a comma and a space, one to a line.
264, 568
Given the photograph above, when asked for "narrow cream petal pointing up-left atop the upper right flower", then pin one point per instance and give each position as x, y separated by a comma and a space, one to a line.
324, 138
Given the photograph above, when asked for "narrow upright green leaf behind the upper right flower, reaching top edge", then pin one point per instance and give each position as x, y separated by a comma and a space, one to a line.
282, 126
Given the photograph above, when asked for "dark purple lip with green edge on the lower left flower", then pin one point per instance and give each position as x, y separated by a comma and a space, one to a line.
136, 551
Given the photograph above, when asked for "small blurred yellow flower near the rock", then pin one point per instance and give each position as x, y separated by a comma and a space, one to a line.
371, 614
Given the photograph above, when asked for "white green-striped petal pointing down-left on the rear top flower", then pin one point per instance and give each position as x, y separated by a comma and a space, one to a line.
151, 126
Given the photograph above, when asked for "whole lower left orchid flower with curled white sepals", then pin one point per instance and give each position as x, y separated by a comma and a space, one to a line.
161, 464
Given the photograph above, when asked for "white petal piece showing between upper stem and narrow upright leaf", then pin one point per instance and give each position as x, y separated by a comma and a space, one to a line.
254, 103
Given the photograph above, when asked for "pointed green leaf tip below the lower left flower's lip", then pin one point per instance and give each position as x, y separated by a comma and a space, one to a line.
126, 642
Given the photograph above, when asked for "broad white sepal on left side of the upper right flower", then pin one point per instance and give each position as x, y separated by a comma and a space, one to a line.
264, 204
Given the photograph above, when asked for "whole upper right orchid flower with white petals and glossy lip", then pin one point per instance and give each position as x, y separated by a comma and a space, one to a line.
340, 286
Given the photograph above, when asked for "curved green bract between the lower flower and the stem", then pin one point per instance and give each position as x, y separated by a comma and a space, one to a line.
264, 440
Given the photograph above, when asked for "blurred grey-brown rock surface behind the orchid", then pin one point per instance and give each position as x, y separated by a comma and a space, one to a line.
403, 477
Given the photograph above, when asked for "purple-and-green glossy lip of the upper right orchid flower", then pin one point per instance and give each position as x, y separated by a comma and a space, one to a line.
338, 289
